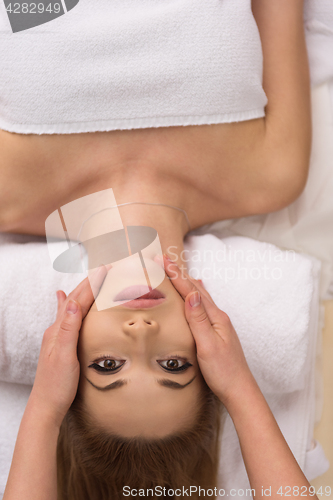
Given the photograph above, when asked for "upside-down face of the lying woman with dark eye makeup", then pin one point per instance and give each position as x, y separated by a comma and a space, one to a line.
139, 372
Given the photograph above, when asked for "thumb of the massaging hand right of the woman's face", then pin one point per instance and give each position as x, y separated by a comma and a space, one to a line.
197, 316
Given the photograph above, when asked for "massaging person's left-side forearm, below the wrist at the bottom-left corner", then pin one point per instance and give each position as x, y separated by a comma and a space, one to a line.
33, 473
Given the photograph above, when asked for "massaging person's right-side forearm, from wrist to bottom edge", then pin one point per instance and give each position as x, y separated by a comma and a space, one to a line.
268, 459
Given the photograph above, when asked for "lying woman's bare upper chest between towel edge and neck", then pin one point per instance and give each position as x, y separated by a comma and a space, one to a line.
204, 169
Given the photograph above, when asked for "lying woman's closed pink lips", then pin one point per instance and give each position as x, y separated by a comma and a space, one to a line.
139, 297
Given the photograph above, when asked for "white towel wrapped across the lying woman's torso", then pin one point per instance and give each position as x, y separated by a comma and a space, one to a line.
127, 64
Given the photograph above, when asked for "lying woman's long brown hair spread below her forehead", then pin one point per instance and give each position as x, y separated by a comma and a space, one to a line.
96, 465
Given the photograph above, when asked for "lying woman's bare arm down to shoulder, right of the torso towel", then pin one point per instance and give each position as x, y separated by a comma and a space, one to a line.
287, 143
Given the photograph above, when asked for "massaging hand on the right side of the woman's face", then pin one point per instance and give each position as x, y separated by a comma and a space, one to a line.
219, 351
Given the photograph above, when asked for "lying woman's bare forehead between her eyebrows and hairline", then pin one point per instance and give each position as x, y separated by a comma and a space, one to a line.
143, 407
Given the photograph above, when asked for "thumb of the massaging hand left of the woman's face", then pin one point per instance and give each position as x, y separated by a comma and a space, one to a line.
70, 325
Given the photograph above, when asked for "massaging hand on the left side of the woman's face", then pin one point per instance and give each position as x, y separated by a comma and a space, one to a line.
58, 368
